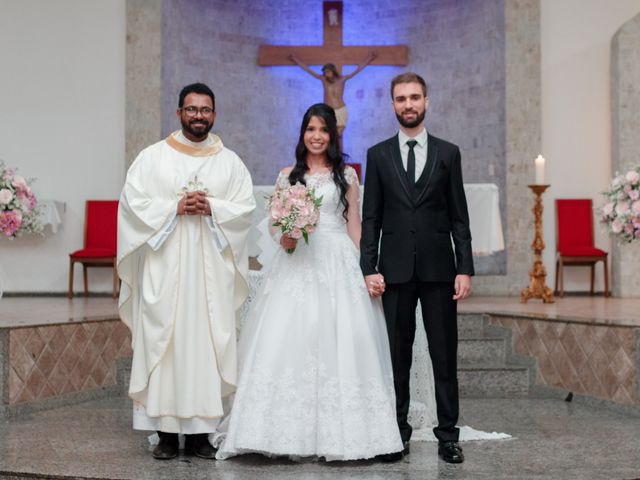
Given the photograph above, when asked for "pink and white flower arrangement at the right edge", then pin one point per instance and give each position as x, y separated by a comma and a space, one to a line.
621, 213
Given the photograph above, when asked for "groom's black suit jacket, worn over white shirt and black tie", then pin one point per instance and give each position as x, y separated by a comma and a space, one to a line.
414, 227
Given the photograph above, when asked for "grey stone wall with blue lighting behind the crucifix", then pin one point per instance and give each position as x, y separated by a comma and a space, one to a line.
458, 46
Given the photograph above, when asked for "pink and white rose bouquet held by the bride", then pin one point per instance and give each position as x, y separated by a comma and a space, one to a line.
296, 210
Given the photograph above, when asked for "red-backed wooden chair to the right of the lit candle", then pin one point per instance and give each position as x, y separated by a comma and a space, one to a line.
574, 240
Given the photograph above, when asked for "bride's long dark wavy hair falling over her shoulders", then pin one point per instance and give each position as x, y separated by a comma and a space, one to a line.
335, 158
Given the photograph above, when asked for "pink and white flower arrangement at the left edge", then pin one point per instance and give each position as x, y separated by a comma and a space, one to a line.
18, 205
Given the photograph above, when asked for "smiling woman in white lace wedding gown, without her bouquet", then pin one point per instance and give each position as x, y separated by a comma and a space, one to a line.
315, 370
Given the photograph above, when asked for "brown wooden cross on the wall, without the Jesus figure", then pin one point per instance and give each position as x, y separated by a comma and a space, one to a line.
332, 50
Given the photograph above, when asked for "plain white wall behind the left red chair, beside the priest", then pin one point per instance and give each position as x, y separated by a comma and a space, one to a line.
62, 104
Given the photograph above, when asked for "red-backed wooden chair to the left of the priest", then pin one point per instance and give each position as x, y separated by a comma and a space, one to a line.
100, 239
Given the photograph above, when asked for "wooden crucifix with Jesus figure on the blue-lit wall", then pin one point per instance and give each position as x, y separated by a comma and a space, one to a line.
333, 55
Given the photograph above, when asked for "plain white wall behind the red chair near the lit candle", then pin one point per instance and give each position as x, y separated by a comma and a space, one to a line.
576, 38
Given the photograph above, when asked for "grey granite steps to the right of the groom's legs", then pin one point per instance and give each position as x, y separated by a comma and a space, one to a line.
487, 366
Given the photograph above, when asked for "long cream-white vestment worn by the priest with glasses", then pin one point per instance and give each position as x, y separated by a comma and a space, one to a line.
183, 281
